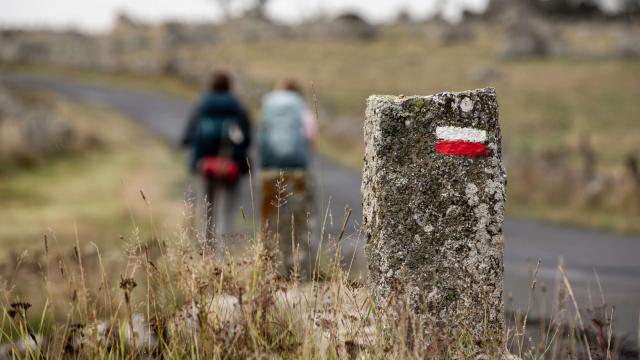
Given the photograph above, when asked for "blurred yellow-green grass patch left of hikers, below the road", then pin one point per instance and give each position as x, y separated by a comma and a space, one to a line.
94, 191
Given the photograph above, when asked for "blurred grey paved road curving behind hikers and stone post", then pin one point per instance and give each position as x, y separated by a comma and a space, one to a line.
615, 258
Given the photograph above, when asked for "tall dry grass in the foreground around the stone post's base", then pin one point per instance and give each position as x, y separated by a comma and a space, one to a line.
170, 298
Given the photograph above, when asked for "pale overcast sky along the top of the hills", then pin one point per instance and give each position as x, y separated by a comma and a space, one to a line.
97, 15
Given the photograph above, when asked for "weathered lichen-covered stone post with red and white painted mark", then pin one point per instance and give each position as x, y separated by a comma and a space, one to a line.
434, 192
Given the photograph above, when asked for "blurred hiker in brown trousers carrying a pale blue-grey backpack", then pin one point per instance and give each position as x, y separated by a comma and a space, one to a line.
286, 135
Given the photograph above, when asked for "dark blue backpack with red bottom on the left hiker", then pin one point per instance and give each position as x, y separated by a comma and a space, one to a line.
215, 143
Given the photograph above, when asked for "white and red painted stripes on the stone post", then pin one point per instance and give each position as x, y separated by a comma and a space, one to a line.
461, 141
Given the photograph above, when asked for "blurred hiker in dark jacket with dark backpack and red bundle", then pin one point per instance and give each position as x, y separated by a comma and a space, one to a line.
219, 135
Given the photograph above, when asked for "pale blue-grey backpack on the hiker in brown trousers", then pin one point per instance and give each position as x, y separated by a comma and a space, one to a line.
283, 143
